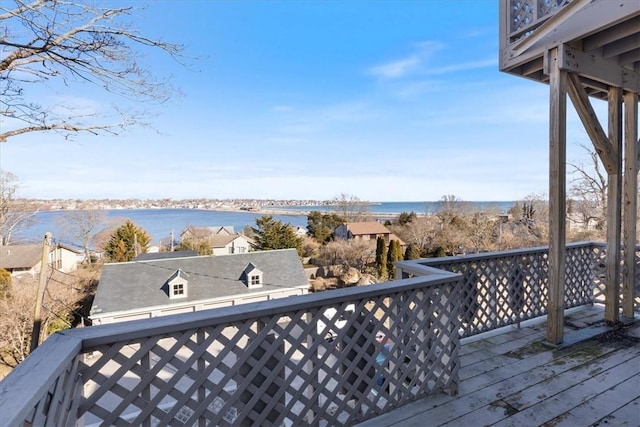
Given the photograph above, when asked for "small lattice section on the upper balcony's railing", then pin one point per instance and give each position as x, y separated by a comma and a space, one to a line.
524, 16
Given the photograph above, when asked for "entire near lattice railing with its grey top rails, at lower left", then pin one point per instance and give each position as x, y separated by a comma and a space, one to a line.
267, 363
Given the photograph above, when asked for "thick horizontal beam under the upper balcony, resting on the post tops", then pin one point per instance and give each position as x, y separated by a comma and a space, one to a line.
599, 68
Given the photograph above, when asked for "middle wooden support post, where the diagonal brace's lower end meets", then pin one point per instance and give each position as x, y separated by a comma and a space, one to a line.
614, 209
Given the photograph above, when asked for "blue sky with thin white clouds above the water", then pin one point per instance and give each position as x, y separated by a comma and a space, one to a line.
298, 99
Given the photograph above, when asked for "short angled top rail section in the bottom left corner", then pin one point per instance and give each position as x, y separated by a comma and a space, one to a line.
30, 380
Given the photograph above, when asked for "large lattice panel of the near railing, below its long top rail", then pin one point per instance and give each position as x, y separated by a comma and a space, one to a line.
332, 365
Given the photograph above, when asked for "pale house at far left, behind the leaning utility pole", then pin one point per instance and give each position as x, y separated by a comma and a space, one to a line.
27, 259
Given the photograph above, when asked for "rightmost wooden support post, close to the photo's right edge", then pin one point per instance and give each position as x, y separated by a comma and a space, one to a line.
630, 207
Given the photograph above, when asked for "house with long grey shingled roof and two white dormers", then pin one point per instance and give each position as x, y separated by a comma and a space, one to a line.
149, 288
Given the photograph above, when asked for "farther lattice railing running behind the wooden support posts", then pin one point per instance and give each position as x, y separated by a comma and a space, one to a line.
506, 288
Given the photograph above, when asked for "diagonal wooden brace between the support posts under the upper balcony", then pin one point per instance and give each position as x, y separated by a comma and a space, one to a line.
591, 124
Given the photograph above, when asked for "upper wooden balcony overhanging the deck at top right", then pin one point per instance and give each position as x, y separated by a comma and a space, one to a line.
599, 39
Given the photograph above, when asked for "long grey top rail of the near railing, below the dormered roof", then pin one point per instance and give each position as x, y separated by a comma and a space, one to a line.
132, 330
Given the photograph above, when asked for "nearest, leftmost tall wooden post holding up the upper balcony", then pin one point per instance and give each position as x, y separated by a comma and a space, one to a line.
557, 197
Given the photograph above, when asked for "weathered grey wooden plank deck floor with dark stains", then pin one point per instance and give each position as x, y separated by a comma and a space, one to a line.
515, 379
